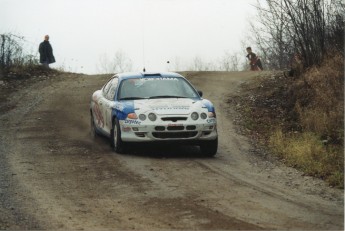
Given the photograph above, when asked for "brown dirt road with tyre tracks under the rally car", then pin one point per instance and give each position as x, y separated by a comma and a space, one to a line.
54, 176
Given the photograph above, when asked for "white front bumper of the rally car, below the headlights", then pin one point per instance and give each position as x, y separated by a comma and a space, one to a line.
189, 132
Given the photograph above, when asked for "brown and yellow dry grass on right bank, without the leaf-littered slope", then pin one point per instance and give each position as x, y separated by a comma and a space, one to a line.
317, 148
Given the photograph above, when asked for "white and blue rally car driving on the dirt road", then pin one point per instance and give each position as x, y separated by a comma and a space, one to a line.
153, 107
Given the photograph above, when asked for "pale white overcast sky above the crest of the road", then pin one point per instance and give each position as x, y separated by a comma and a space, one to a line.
149, 32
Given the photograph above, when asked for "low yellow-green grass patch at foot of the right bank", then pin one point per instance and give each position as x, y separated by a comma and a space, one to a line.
306, 152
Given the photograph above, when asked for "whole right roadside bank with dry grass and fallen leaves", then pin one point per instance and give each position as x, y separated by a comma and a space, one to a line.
299, 119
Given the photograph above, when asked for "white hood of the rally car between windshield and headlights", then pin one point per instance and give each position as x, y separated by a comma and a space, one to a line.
176, 106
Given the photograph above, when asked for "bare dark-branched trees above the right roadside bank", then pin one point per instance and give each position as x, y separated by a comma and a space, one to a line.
310, 28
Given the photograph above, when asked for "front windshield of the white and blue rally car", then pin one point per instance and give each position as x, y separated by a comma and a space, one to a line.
150, 88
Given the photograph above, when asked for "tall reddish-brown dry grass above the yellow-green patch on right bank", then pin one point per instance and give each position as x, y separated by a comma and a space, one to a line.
324, 113
